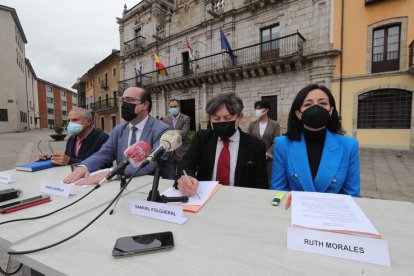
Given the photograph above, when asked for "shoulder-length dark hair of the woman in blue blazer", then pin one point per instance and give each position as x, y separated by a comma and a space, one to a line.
295, 126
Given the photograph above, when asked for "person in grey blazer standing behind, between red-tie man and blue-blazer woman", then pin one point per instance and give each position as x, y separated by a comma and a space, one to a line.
266, 130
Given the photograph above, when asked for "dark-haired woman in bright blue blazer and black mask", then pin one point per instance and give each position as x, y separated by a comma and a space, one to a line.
314, 155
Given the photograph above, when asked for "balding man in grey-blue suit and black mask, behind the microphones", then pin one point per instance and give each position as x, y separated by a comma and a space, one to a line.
139, 125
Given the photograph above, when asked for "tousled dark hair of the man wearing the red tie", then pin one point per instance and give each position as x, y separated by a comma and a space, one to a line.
232, 102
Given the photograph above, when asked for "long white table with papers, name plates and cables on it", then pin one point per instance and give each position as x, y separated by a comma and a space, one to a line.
238, 232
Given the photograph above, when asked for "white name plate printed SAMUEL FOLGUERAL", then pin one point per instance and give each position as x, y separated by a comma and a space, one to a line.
161, 211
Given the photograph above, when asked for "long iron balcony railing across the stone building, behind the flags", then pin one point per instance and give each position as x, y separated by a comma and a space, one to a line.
277, 49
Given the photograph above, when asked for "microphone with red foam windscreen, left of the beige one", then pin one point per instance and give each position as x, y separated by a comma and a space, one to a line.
134, 155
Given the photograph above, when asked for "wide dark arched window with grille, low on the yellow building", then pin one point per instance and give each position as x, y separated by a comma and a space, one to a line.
385, 108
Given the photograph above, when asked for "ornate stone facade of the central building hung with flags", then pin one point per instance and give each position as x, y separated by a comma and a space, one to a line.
242, 27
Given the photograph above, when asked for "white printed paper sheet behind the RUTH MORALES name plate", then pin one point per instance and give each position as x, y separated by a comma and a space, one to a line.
331, 212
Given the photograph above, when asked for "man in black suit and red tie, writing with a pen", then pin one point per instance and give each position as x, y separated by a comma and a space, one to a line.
223, 153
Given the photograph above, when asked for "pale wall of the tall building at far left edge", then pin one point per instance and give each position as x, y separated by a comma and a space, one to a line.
12, 75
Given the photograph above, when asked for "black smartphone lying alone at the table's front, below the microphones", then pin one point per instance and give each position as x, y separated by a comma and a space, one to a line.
127, 246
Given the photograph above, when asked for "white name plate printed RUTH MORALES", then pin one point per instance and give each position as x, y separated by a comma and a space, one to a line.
357, 248
